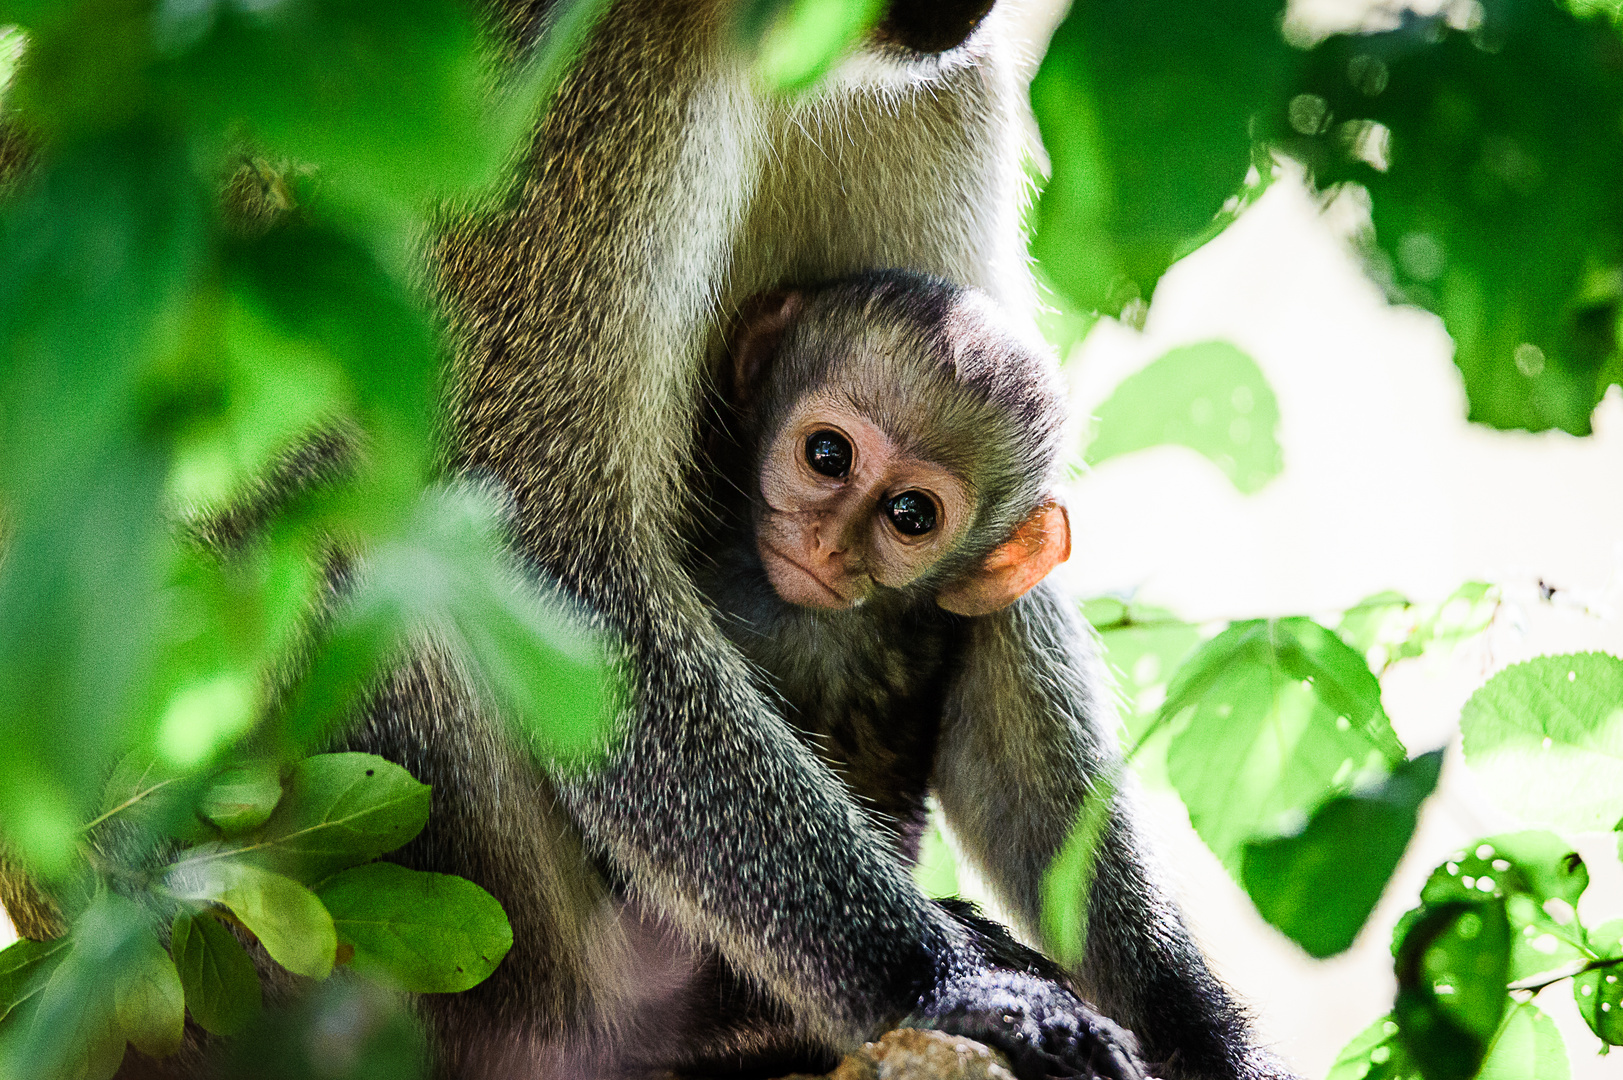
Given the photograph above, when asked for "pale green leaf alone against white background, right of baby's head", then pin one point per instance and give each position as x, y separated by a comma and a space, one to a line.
1212, 399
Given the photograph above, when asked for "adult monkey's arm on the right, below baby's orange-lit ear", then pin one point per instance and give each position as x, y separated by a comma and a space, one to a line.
1027, 730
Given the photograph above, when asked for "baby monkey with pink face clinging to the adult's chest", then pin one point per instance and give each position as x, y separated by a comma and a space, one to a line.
889, 459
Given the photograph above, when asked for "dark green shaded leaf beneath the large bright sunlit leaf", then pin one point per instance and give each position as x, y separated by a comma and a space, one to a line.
1320, 884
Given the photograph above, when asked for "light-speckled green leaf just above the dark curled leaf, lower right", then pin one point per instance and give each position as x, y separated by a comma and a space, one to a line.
1541, 879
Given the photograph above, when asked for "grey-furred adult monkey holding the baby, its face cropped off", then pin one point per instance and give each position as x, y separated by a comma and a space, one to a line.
660, 192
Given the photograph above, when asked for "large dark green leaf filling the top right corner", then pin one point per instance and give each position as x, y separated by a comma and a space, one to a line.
1500, 209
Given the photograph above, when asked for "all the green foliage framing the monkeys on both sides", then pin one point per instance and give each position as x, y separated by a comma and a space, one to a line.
173, 654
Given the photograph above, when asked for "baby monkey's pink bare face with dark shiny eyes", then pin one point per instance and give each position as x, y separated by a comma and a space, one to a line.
845, 509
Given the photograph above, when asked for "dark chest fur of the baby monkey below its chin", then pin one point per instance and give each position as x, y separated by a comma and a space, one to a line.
863, 688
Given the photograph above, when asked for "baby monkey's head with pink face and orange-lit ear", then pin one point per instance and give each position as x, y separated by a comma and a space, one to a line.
905, 438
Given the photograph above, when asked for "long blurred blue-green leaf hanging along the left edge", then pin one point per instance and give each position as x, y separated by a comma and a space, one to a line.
98, 254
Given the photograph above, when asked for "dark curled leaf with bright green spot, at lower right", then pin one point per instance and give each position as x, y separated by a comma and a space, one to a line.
1453, 961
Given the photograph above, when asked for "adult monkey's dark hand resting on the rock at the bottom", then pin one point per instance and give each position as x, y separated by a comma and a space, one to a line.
1043, 1029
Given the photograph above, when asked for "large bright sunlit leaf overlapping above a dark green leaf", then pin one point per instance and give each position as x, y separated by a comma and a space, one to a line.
1270, 717
